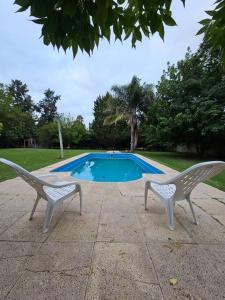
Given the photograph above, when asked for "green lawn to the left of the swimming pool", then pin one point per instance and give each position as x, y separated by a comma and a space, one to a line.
32, 159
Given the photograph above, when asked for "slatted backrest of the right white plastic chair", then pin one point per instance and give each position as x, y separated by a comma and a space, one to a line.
188, 179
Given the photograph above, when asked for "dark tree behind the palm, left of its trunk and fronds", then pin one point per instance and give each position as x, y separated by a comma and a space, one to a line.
111, 135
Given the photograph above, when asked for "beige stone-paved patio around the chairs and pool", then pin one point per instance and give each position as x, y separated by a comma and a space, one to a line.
116, 249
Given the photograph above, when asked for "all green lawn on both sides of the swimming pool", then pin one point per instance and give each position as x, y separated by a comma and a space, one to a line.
32, 159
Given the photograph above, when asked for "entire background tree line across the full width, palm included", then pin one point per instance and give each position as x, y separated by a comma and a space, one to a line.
186, 108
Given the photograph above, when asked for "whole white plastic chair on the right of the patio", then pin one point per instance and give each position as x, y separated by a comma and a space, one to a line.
180, 187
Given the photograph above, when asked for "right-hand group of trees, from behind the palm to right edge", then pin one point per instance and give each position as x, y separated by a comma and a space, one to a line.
186, 108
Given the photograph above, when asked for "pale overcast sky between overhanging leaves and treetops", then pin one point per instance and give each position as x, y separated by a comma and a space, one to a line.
23, 56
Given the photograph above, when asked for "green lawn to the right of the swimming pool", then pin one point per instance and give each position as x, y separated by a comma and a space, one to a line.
181, 161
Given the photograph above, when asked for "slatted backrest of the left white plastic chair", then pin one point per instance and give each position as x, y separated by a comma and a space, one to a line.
32, 180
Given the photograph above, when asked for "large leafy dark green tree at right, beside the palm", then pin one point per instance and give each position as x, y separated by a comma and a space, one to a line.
189, 107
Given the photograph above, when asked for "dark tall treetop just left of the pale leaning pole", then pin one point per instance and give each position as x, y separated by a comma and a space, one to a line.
47, 107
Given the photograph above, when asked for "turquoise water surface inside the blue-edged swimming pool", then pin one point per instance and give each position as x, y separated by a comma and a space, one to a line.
108, 170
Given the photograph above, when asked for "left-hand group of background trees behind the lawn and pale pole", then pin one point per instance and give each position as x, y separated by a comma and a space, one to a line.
21, 119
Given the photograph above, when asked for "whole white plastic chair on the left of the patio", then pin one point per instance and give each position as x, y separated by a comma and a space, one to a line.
54, 193
